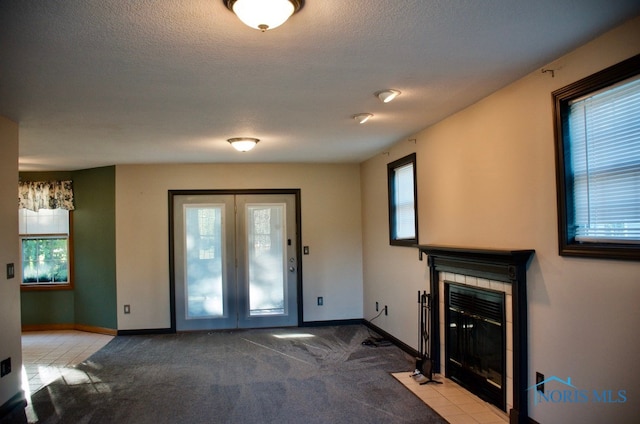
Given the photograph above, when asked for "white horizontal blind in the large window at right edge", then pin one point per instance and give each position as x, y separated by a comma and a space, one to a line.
604, 137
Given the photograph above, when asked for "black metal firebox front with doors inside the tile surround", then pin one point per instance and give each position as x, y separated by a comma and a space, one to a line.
475, 341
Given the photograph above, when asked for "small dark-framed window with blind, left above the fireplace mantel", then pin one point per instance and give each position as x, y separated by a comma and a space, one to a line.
403, 223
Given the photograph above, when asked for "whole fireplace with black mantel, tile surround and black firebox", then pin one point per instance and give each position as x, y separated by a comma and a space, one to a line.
478, 276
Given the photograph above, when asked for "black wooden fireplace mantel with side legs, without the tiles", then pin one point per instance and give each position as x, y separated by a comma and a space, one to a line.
508, 266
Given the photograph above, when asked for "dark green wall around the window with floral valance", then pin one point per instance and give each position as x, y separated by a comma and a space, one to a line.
92, 302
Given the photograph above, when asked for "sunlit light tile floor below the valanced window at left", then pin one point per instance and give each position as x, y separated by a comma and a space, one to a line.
49, 355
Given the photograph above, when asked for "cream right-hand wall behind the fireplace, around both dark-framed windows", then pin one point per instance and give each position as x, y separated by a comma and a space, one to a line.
486, 179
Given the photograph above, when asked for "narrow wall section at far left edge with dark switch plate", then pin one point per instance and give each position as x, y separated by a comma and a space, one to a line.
10, 332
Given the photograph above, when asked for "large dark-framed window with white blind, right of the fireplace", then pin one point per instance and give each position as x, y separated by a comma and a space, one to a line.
598, 163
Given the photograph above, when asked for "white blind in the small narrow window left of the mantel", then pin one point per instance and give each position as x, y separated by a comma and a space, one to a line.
404, 202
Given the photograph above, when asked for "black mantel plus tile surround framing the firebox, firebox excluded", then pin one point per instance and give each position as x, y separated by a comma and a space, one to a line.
498, 270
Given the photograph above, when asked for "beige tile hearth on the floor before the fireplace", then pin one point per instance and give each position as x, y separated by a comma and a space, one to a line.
452, 402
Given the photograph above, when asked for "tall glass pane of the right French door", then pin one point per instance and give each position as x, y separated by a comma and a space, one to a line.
267, 259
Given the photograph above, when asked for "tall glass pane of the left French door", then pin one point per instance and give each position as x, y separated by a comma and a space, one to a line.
204, 261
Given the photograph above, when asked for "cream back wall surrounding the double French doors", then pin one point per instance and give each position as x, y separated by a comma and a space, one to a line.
331, 227
